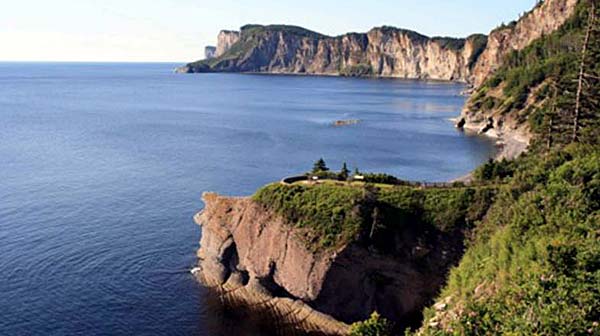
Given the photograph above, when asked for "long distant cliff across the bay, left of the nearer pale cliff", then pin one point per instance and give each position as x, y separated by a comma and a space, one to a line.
384, 51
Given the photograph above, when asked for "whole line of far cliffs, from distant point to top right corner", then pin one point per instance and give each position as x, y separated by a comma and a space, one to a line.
383, 51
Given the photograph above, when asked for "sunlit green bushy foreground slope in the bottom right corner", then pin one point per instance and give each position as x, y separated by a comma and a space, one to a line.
533, 267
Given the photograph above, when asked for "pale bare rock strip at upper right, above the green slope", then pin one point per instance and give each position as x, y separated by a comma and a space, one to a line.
545, 18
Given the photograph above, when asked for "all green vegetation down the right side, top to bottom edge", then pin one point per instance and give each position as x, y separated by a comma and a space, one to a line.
532, 266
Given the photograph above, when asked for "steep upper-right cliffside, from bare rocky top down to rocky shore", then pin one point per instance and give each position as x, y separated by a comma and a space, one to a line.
511, 103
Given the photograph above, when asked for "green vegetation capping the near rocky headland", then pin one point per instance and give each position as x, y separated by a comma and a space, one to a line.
336, 214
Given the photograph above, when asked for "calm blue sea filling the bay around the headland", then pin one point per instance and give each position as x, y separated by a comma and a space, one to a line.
102, 167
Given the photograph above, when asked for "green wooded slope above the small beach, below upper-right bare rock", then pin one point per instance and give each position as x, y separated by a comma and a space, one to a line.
538, 85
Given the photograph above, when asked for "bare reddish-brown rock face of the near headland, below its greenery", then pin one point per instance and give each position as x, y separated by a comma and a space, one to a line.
245, 244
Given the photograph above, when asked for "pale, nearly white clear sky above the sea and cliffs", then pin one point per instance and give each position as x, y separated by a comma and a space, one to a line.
178, 30
